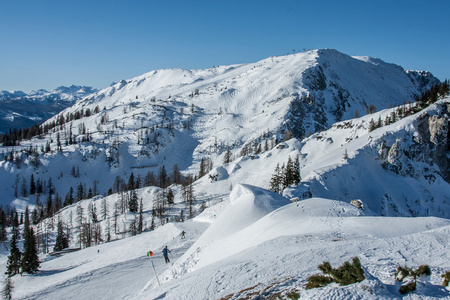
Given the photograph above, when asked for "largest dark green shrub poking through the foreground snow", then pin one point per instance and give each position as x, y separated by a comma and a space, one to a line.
346, 274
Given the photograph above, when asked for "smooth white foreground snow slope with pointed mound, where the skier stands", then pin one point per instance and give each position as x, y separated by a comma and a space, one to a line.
274, 250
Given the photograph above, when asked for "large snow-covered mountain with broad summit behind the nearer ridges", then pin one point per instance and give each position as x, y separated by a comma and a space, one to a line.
175, 116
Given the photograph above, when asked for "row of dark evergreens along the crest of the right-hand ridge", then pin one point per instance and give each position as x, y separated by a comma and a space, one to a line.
403, 111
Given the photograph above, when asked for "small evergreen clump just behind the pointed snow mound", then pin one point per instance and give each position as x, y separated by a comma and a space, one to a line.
288, 174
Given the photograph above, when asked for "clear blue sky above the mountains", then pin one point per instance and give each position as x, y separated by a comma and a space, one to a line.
45, 44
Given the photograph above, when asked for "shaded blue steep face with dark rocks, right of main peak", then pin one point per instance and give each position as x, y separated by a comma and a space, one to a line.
339, 87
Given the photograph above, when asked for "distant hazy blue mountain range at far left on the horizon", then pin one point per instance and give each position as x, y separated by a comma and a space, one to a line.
20, 110
